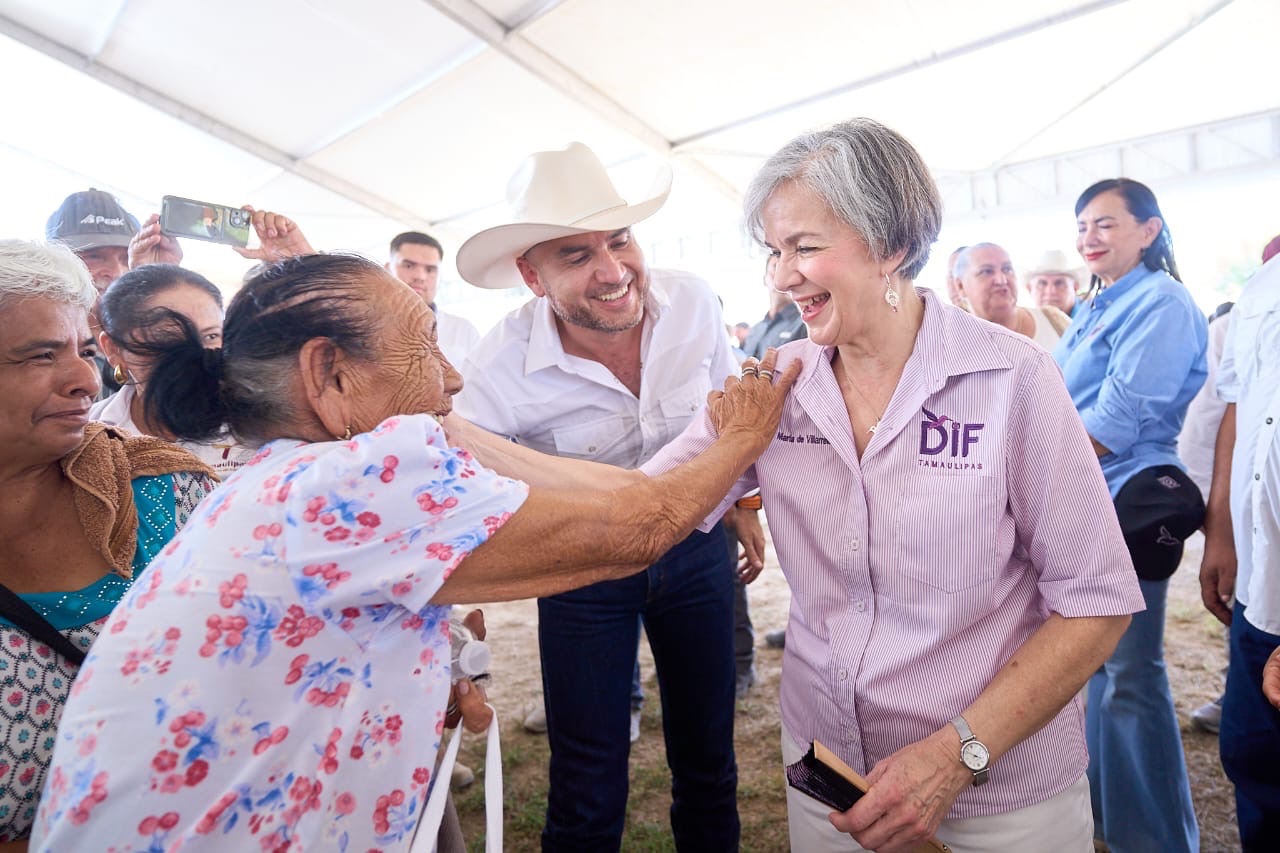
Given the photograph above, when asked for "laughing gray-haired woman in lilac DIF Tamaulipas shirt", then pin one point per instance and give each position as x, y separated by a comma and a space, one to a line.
925, 490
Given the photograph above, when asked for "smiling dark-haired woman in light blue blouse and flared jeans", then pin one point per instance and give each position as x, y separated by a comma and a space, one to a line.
1133, 358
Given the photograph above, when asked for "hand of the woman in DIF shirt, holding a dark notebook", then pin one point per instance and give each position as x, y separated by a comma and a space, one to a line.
911, 793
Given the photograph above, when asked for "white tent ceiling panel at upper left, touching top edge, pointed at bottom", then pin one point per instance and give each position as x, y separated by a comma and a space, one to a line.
363, 58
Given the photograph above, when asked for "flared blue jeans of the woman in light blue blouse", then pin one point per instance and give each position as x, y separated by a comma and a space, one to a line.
1142, 800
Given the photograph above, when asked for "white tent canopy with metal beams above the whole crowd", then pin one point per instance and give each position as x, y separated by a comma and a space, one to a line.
362, 118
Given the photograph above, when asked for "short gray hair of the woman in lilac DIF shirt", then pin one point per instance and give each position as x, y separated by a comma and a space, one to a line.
870, 177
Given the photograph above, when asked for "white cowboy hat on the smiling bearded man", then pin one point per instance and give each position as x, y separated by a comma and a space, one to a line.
554, 194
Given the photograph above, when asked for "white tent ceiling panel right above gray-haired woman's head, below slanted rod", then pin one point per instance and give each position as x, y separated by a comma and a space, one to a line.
970, 112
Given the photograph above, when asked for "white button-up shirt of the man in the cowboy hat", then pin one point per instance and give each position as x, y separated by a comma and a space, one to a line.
520, 382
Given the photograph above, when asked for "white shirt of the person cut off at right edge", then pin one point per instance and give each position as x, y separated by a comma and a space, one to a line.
1250, 377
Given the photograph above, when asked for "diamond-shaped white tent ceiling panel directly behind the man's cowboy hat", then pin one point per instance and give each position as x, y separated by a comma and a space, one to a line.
452, 148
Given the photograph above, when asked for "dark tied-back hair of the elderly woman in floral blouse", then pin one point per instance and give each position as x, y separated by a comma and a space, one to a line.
196, 393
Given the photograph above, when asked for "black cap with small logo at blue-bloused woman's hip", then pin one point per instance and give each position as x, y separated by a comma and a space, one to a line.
1159, 508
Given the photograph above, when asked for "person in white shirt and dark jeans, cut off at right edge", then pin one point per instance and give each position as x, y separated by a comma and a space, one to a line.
1241, 572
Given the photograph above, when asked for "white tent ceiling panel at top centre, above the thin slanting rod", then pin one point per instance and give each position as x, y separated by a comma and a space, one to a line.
756, 54
